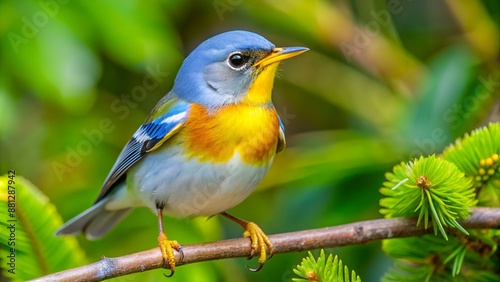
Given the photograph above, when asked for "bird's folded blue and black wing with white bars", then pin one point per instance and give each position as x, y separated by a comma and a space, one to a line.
166, 119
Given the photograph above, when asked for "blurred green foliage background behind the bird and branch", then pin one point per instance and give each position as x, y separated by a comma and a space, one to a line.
384, 82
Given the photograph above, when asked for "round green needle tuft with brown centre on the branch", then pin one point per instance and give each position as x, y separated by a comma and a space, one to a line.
429, 187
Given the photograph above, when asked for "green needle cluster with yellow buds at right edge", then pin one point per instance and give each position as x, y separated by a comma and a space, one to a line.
477, 155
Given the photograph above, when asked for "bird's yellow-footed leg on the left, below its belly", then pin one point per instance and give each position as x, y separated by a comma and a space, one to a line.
166, 246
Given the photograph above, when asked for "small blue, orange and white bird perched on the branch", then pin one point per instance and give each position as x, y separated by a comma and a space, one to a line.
204, 147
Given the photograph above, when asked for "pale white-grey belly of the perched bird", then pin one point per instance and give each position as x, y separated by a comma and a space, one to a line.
188, 187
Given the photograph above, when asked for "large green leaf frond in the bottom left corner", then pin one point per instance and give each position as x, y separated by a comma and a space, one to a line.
37, 251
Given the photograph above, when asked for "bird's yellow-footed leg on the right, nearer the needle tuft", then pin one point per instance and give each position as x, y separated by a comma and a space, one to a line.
259, 240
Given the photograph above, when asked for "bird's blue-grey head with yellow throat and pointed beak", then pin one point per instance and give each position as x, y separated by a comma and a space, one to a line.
230, 68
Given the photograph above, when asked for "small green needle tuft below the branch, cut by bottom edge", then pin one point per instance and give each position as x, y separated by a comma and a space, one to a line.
324, 269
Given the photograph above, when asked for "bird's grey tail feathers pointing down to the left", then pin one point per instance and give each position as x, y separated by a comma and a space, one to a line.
93, 222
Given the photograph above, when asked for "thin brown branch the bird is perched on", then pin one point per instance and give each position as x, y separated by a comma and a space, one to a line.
337, 236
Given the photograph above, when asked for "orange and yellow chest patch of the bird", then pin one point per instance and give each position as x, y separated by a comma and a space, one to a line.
251, 131
